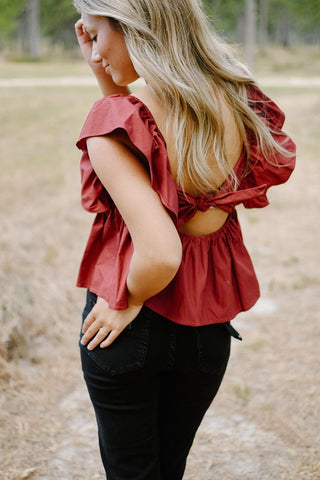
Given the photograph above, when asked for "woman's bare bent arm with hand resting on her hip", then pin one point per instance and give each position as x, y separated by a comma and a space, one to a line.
157, 245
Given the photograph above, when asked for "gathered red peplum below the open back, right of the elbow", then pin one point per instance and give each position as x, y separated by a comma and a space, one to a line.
215, 281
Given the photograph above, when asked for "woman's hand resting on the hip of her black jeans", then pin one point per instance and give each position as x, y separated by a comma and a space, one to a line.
103, 325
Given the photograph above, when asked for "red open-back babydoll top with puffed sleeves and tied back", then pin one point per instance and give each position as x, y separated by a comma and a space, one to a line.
216, 278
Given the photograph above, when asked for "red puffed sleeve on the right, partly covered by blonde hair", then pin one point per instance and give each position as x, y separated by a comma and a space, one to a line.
264, 171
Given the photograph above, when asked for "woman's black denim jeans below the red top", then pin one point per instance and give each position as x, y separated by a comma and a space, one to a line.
150, 390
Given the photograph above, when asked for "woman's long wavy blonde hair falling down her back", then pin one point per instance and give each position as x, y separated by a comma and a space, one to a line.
189, 68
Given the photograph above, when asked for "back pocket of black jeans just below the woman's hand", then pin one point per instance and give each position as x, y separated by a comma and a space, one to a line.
128, 351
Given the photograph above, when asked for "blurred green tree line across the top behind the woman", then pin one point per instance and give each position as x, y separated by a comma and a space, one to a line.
38, 29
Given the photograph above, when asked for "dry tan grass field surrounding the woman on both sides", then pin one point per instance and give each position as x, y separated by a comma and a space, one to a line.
264, 424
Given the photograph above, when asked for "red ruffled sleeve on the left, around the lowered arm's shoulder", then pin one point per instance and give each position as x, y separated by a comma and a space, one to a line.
127, 114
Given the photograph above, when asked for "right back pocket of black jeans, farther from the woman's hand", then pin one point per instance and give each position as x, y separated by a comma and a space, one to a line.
213, 348
